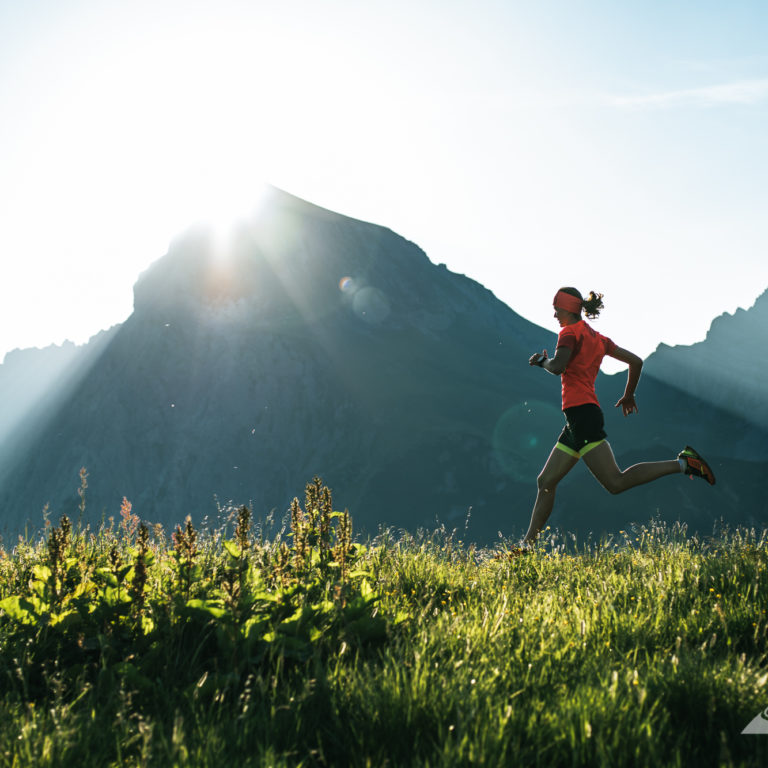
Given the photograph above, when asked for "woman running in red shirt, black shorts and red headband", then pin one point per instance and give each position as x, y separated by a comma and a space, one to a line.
580, 350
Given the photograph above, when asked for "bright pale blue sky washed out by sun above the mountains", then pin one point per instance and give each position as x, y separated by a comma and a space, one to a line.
613, 146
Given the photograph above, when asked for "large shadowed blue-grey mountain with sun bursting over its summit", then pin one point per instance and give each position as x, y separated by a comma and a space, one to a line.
312, 343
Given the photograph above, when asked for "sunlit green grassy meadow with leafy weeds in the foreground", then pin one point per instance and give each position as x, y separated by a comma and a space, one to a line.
134, 646
